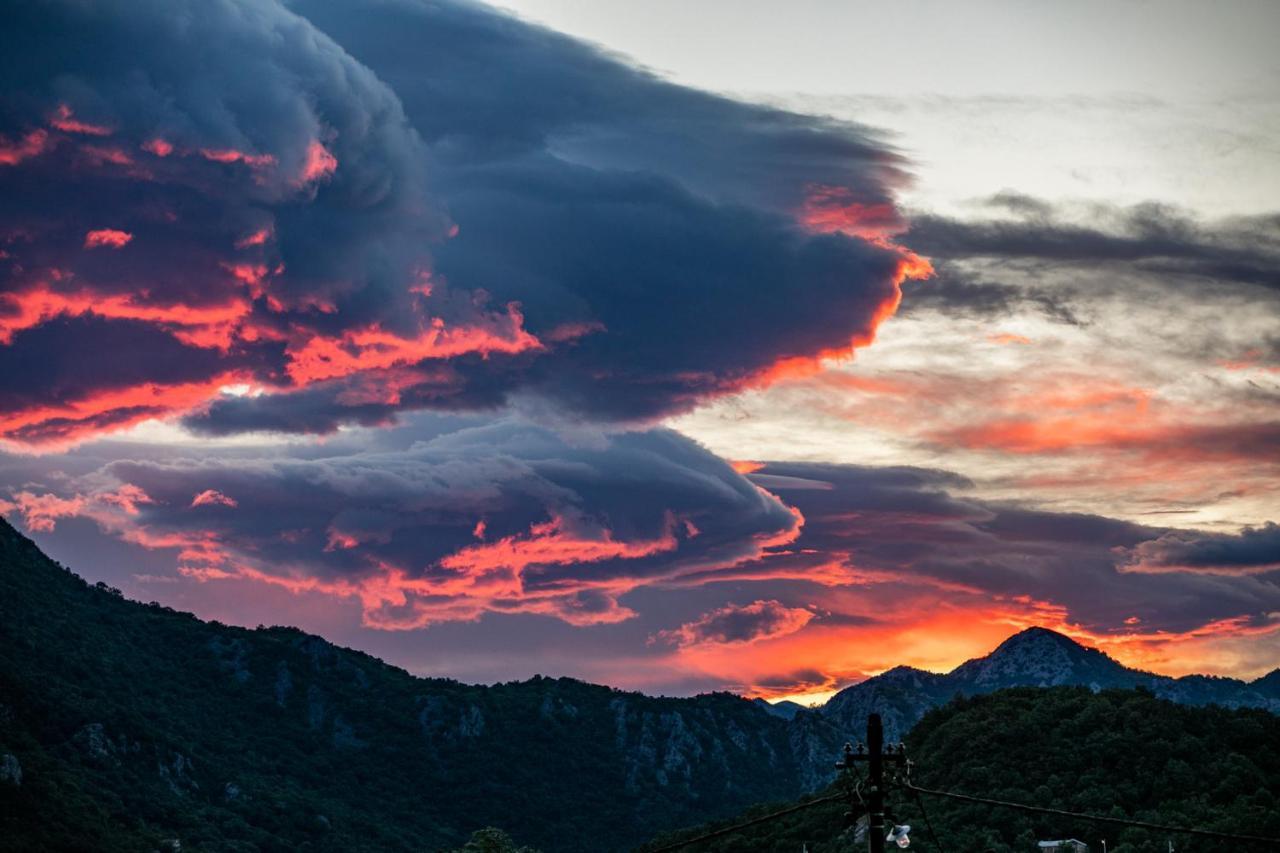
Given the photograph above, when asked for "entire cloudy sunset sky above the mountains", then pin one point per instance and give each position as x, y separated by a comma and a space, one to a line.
676, 348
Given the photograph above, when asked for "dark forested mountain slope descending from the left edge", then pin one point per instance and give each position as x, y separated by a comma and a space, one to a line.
129, 727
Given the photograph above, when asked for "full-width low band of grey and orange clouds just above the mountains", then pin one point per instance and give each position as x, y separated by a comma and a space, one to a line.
689, 574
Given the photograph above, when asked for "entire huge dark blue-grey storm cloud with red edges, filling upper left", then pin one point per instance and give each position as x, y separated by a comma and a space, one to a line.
433, 206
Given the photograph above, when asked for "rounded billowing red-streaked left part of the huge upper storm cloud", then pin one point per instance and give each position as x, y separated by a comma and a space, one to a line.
220, 174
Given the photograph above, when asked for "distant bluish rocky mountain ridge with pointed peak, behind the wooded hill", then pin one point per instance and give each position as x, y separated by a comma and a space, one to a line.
1035, 658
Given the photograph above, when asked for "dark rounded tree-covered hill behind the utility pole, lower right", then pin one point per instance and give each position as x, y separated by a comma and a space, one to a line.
1122, 754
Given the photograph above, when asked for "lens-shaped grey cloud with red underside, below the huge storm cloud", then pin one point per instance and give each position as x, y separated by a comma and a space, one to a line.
502, 517
